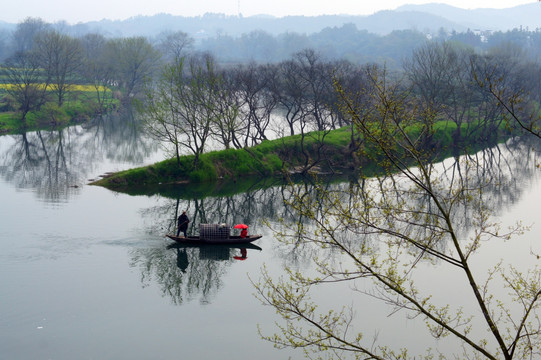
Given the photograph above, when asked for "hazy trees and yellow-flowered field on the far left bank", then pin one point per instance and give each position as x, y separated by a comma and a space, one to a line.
50, 71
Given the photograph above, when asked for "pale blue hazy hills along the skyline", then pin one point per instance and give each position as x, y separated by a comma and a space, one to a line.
429, 18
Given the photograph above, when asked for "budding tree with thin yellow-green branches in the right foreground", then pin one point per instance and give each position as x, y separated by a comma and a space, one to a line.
387, 229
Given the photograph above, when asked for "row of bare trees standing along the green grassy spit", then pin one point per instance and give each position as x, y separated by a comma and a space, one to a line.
194, 101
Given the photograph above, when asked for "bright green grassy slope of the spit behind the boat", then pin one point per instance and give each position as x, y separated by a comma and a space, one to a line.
273, 158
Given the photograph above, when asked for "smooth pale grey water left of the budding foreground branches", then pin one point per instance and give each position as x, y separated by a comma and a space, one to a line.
86, 273
